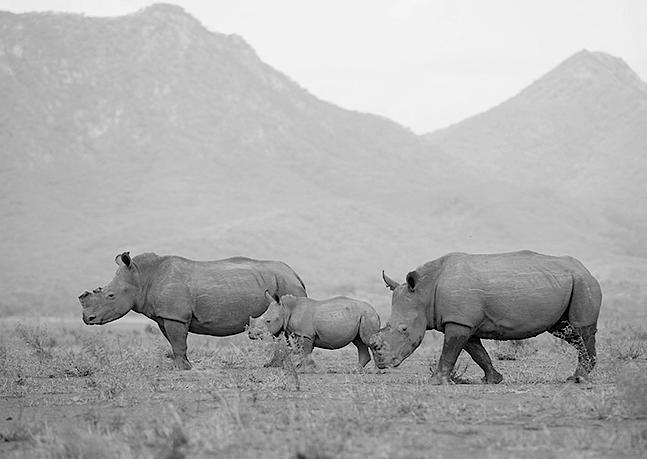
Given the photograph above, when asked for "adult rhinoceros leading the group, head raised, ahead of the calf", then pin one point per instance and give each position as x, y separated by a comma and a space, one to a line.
182, 296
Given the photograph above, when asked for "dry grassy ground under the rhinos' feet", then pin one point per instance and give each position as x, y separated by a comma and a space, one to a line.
72, 391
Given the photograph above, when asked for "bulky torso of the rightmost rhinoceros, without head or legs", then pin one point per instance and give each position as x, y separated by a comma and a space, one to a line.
512, 295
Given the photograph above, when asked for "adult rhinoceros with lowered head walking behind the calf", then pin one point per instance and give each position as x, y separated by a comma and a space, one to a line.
499, 296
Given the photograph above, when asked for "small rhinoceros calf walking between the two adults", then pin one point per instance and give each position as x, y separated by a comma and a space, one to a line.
327, 324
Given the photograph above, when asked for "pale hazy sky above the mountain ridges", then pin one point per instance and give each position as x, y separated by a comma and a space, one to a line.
424, 64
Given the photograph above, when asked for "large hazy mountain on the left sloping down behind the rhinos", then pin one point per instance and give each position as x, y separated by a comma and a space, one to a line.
148, 132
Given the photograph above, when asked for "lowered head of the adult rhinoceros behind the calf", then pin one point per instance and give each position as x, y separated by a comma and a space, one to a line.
406, 327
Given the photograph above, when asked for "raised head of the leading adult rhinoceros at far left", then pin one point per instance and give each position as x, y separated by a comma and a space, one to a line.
105, 304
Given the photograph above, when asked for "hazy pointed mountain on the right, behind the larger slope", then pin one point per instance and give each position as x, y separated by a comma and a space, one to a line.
580, 131
